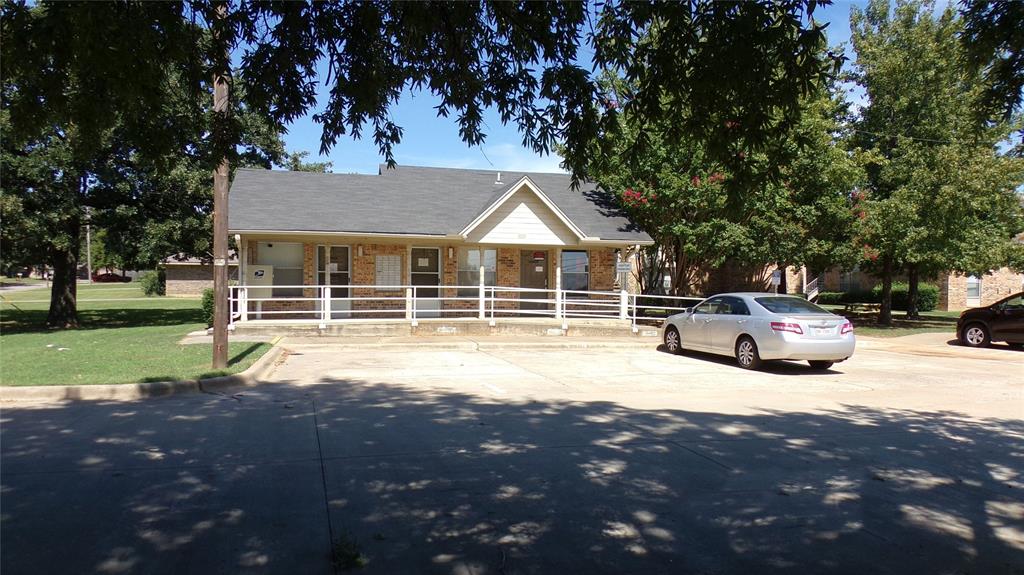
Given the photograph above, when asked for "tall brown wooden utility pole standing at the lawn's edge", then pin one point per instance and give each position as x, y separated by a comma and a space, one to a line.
221, 183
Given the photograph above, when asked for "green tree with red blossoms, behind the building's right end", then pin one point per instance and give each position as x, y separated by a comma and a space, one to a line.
790, 205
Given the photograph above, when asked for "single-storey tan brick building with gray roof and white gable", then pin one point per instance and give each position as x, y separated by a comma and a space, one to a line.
430, 228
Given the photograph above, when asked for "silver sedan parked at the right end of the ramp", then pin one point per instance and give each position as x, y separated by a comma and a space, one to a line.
754, 328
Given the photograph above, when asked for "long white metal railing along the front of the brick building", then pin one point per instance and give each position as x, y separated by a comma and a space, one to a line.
331, 304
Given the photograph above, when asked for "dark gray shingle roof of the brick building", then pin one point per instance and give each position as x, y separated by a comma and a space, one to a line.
406, 200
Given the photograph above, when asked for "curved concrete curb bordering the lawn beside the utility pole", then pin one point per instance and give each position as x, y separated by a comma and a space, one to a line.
127, 392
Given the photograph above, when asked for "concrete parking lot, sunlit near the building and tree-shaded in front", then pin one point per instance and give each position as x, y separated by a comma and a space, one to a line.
504, 459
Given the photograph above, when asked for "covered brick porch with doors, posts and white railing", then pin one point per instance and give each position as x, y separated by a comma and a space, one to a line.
328, 281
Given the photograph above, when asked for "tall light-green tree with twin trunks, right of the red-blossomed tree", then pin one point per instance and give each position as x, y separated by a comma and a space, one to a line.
941, 195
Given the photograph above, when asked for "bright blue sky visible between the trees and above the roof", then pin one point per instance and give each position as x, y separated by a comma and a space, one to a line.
430, 141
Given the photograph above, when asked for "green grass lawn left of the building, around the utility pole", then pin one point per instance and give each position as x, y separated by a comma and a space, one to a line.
119, 342
